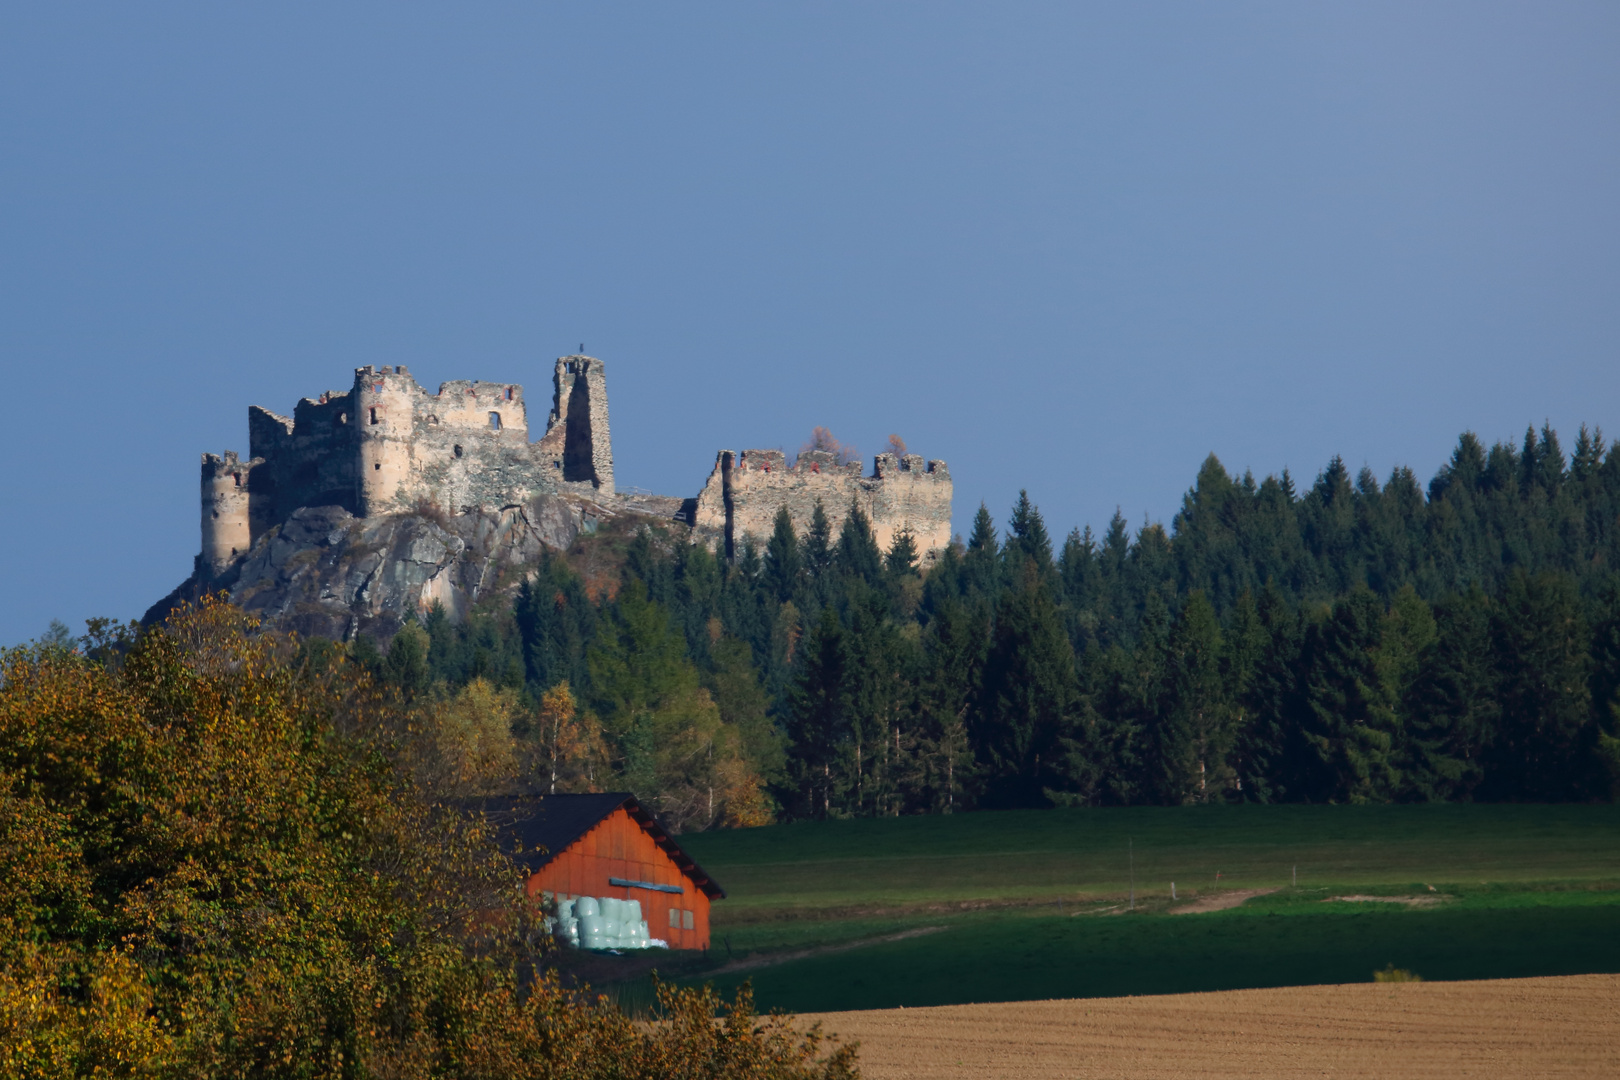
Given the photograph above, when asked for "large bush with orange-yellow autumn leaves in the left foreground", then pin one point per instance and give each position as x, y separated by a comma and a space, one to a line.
213, 865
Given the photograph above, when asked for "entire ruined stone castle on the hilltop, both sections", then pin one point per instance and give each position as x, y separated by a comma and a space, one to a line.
388, 448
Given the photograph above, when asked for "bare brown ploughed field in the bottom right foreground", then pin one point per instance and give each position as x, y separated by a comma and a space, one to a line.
1537, 1027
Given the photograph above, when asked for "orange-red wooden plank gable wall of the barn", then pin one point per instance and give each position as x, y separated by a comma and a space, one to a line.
618, 848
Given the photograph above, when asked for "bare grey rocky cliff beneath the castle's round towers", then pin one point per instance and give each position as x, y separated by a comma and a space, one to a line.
328, 574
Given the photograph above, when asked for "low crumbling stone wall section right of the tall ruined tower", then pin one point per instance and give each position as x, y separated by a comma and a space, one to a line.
746, 491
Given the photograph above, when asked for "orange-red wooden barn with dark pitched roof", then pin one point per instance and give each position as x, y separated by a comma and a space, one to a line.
610, 846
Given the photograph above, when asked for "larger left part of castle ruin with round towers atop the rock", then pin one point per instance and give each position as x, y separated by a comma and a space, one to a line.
386, 446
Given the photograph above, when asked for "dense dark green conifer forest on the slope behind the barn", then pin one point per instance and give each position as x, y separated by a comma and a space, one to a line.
1347, 642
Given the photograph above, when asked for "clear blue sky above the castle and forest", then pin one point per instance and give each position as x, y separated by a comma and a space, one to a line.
1072, 249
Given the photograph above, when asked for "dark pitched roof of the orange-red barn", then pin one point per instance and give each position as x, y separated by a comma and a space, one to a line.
537, 830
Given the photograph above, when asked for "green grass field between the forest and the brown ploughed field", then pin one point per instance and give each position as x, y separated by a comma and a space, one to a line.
1038, 904
